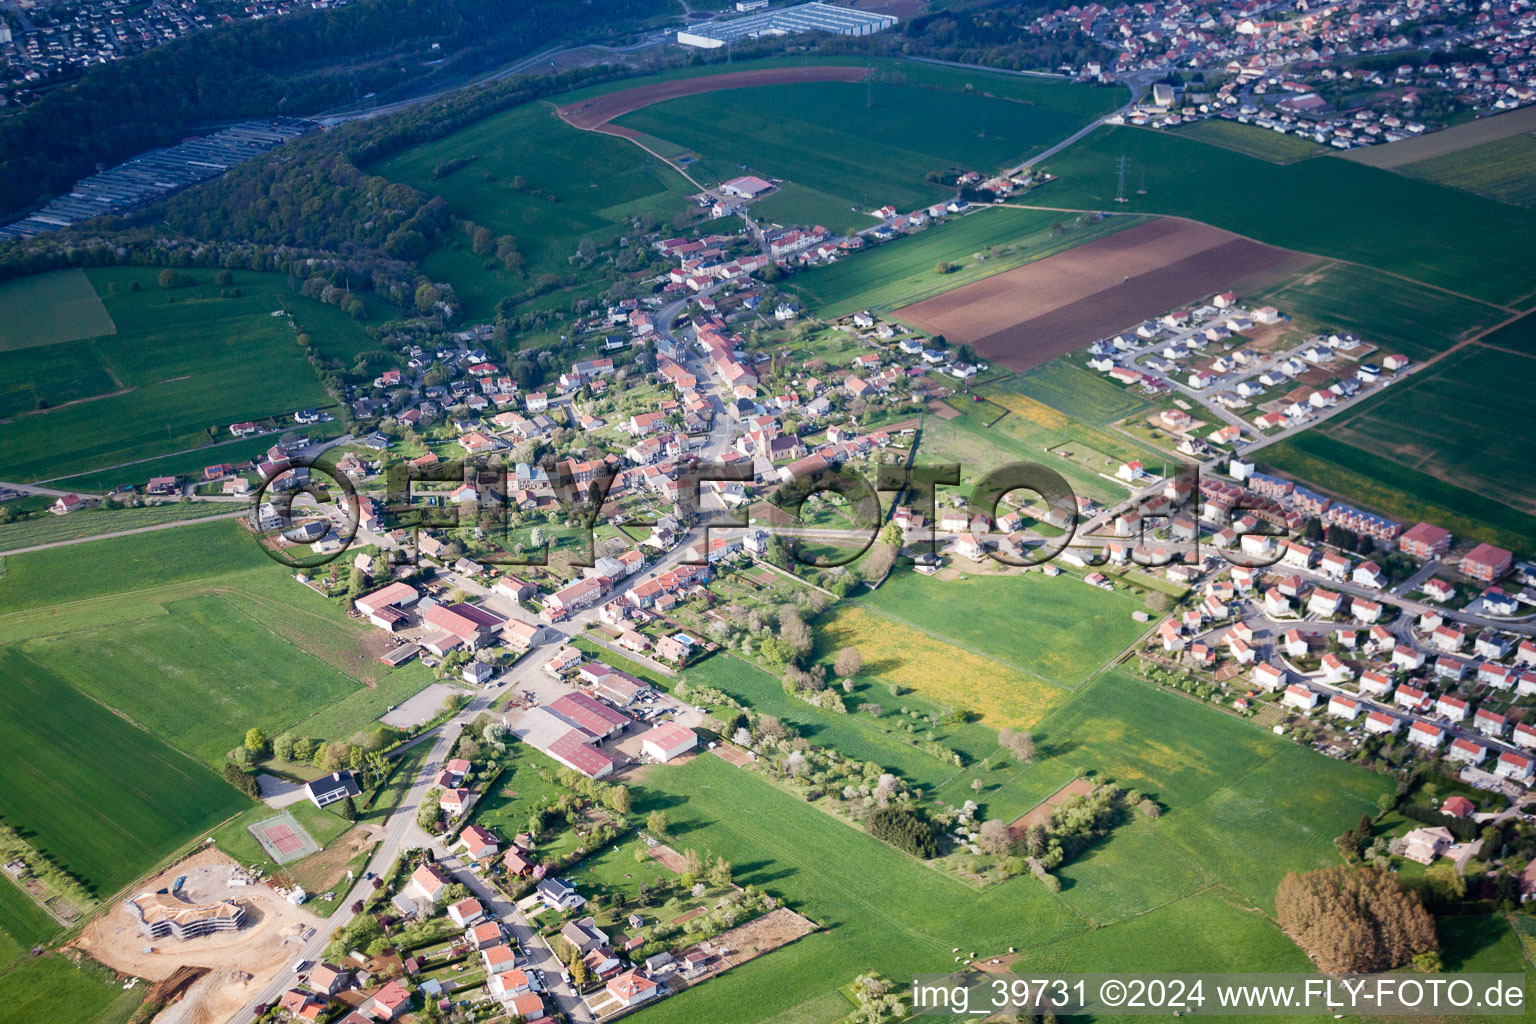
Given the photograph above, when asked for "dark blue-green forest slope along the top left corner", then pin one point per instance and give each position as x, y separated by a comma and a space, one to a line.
297, 65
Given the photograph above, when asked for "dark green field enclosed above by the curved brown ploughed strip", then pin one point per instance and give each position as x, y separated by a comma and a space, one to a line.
870, 147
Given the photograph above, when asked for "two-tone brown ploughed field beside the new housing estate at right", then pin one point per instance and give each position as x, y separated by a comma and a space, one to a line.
1030, 315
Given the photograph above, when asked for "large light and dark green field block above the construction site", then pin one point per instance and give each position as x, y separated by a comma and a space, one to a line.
191, 636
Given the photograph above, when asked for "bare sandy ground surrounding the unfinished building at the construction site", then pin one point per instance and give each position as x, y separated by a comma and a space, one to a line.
240, 963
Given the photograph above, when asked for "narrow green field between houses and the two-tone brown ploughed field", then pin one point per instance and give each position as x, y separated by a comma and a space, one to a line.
905, 271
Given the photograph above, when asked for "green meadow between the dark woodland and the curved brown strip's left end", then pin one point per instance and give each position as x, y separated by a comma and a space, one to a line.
595, 187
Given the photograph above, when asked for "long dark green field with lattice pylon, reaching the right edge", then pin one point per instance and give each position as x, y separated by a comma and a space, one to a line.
1332, 208
